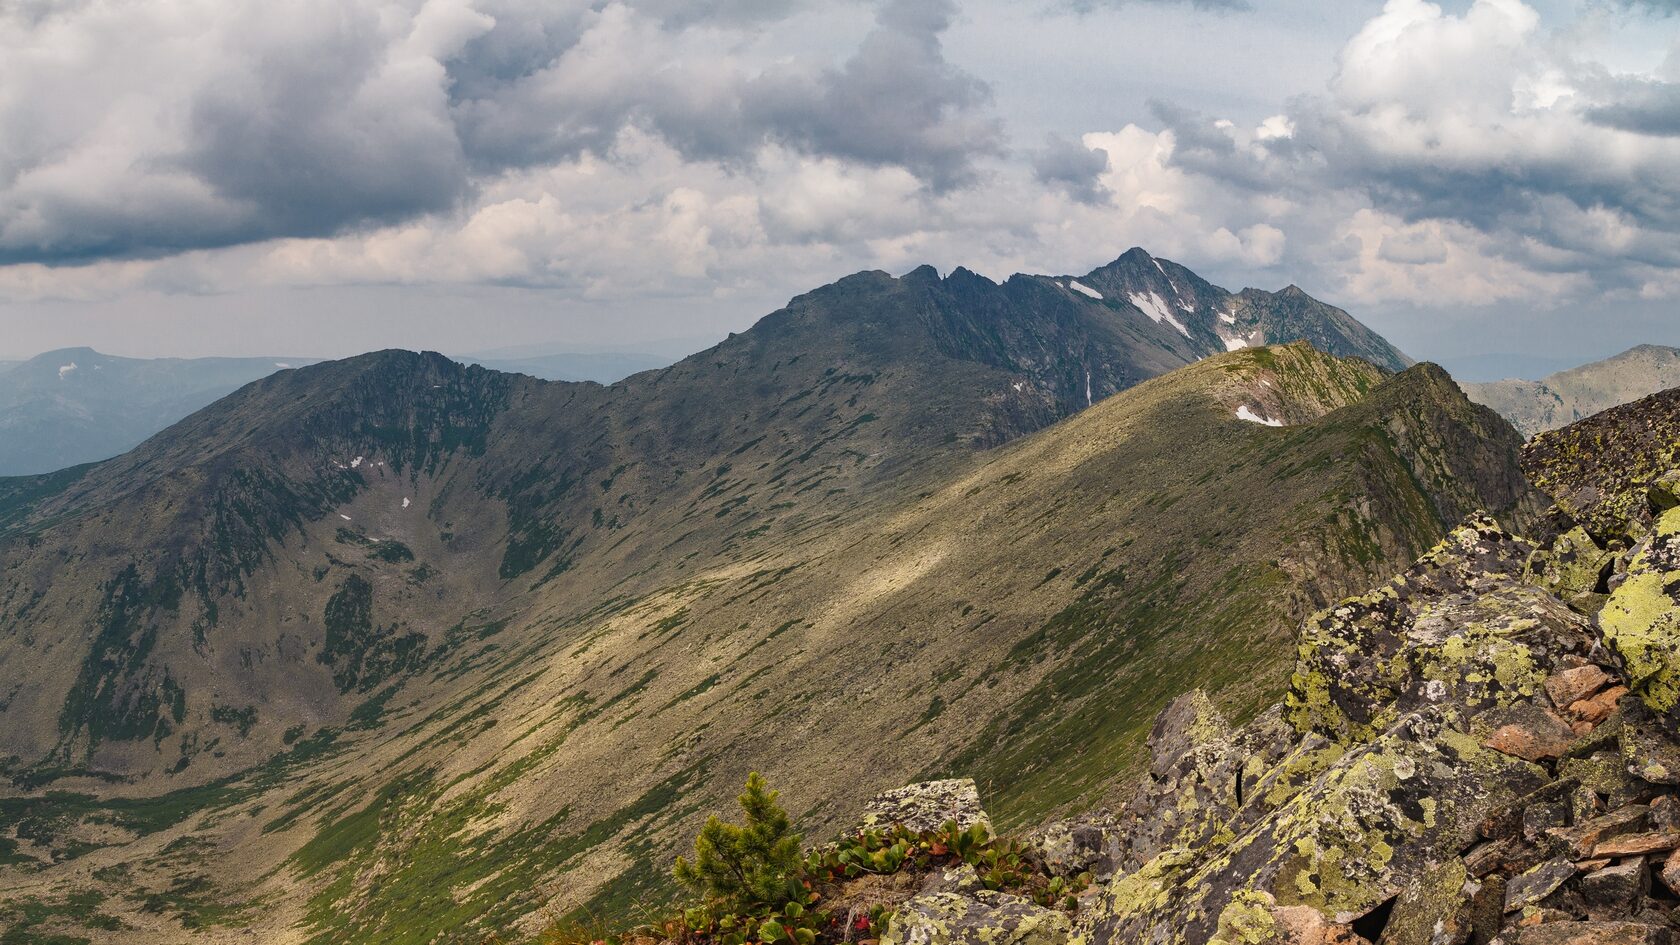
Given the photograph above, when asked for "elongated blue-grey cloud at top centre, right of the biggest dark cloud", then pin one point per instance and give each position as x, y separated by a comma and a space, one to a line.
896, 102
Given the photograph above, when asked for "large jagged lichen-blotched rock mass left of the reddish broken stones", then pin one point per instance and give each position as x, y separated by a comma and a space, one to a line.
1383, 778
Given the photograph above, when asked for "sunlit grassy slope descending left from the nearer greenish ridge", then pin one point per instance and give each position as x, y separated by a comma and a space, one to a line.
1017, 616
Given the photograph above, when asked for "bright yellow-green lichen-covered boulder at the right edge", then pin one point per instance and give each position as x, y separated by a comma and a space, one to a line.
1642, 618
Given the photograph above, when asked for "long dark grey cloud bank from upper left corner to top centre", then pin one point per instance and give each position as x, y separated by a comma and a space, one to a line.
320, 119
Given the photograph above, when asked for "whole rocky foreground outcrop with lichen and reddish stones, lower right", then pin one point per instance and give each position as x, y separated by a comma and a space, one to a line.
1483, 751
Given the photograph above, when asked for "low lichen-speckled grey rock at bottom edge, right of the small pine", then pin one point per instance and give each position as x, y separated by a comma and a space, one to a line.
977, 919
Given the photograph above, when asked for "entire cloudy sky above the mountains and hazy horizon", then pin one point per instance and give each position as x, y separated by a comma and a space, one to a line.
322, 177
